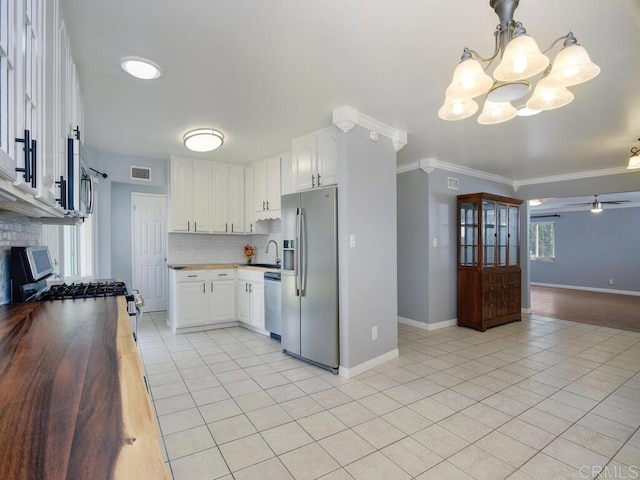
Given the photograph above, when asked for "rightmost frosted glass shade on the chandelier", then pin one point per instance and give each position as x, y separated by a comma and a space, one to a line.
571, 66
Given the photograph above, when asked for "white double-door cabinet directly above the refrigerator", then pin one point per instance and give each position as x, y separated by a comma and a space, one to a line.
315, 159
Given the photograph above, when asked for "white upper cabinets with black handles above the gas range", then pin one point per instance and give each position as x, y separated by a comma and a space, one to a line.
40, 105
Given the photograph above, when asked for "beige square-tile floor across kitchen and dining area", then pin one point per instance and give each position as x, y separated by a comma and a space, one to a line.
537, 399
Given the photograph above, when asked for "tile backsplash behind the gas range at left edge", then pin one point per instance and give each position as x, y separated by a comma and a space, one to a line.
14, 232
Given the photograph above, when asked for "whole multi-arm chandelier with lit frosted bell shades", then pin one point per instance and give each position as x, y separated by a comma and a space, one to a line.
521, 61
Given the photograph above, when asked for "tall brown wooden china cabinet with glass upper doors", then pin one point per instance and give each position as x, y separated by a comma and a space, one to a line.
489, 272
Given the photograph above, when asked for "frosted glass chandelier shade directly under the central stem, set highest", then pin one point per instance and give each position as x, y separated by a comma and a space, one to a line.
521, 59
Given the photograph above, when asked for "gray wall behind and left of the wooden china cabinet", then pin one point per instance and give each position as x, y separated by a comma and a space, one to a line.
427, 287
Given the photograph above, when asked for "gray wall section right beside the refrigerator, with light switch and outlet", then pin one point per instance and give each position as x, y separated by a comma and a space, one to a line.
368, 273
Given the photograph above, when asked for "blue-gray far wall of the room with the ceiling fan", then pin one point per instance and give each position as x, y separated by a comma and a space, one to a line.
592, 248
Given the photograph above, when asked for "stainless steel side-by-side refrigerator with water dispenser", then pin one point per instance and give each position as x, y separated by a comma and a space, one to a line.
310, 276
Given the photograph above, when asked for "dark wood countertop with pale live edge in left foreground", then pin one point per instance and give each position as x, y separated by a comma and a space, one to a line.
73, 401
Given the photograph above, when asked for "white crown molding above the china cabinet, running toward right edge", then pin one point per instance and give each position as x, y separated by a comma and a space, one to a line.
427, 165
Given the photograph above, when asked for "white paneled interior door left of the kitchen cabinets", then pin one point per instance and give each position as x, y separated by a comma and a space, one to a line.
150, 249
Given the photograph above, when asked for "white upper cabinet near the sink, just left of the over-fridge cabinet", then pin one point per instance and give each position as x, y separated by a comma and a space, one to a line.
266, 199
